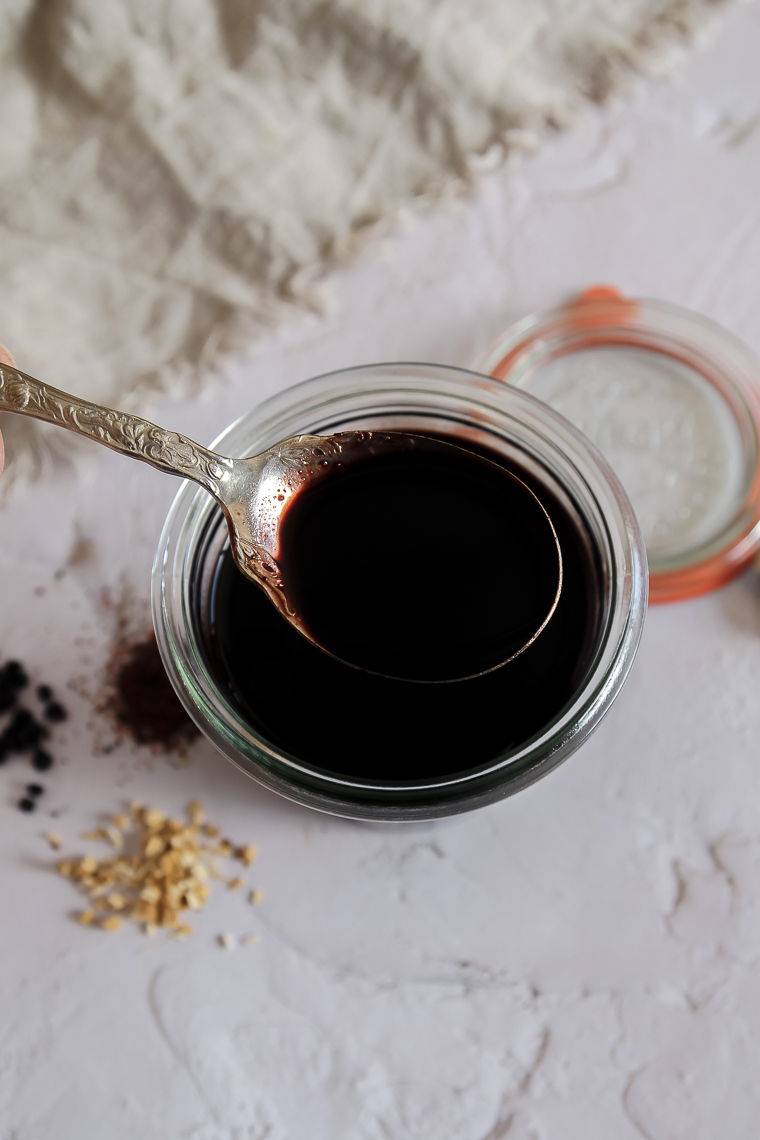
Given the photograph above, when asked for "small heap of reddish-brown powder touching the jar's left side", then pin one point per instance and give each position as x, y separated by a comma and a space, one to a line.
144, 702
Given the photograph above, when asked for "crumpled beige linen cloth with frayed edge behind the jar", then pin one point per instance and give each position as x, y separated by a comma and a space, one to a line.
177, 173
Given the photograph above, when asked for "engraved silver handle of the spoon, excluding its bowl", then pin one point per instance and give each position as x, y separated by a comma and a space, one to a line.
130, 435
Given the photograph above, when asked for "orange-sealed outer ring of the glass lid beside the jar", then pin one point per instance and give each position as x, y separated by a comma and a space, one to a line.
604, 319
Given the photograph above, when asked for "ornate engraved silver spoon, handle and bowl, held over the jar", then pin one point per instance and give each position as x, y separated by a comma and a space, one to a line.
256, 493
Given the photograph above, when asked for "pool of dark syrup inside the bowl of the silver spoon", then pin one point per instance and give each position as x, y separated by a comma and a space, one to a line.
419, 560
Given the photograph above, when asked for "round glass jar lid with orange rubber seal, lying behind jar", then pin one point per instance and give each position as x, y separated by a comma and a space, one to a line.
673, 402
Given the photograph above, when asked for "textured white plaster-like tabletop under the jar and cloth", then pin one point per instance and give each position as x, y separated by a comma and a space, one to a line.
581, 963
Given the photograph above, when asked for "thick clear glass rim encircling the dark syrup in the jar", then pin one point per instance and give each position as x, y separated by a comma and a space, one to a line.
355, 397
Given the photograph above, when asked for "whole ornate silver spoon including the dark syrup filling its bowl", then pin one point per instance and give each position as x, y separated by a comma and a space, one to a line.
407, 638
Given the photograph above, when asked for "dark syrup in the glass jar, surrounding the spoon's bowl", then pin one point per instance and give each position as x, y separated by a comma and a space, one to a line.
362, 726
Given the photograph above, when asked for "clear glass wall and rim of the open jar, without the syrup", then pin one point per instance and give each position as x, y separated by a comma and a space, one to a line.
481, 413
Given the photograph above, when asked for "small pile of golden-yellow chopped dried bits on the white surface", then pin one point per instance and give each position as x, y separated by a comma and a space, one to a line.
165, 877
